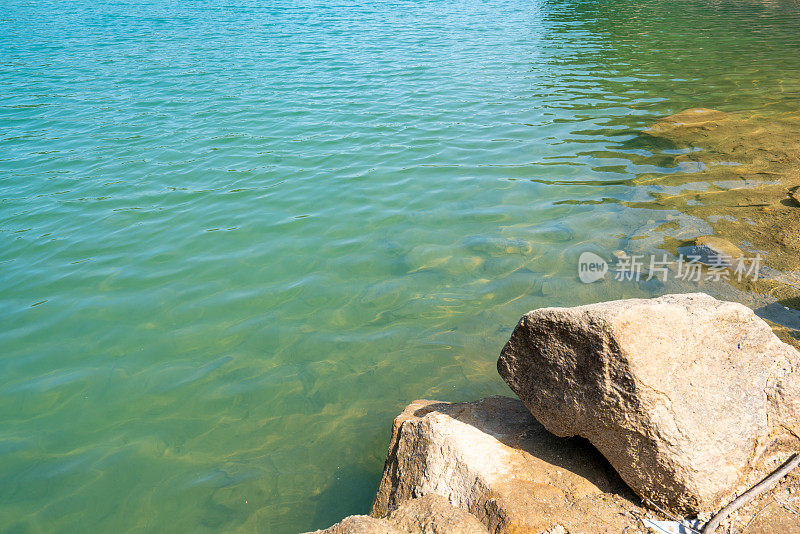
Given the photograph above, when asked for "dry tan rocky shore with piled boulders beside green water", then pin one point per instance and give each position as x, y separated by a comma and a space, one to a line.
634, 416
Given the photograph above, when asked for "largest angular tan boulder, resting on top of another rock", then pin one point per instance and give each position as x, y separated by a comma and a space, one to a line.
691, 399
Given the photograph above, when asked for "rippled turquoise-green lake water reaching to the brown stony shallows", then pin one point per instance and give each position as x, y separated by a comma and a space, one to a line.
236, 238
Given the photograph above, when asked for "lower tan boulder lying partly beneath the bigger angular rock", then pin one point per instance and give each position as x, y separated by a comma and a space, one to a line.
492, 459
